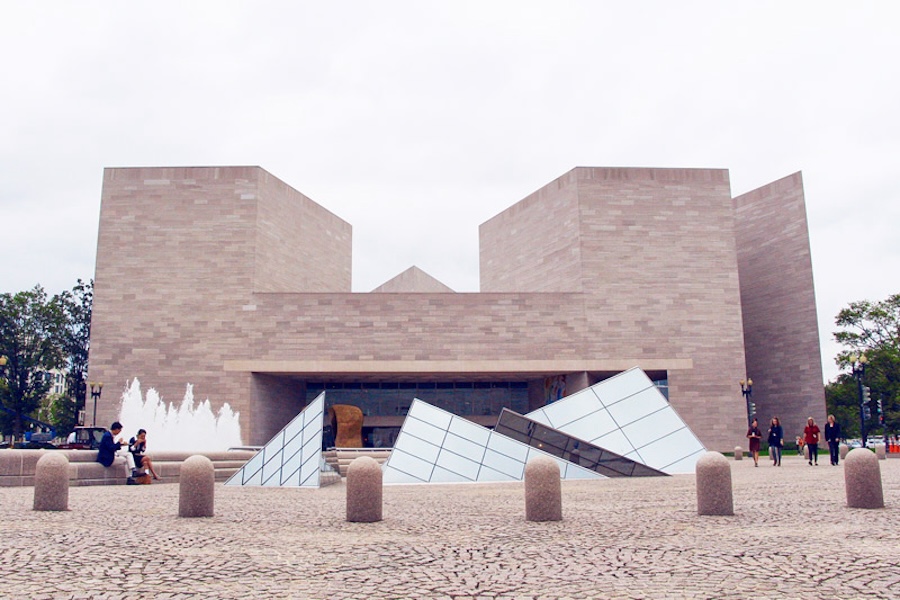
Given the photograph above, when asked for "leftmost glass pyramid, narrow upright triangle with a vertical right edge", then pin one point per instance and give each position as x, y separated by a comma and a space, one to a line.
293, 458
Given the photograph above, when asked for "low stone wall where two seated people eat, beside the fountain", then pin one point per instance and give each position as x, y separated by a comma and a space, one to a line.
17, 466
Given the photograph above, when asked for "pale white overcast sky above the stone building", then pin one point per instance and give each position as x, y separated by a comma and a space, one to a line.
418, 121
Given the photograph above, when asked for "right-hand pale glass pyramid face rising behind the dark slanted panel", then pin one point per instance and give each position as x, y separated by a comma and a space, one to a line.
627, 414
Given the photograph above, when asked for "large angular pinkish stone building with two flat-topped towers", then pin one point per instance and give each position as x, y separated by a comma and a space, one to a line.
229, 279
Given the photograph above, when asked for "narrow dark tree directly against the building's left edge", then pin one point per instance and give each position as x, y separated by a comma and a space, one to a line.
76, 342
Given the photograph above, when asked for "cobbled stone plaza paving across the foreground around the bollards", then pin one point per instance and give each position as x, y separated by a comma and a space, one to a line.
792, 536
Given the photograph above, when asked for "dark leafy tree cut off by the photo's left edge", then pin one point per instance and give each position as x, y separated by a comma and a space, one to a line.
31, 326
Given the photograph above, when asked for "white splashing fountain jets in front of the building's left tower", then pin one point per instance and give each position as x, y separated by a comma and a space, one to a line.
185, 429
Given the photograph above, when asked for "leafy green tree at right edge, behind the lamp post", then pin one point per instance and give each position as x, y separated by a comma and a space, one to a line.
873, 329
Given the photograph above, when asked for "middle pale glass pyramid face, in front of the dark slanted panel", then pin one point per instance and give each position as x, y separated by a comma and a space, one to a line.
435, 446
